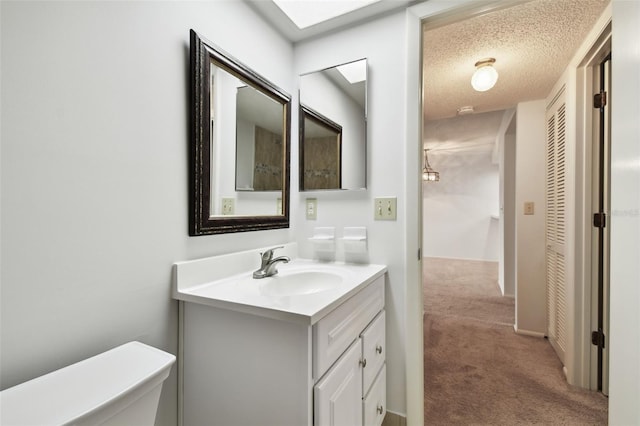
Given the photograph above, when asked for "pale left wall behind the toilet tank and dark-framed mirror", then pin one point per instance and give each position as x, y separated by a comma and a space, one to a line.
94, 172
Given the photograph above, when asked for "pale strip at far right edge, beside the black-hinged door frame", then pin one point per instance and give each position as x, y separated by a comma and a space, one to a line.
624, 379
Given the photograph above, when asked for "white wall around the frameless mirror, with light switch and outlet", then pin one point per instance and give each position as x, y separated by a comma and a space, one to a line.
381, 42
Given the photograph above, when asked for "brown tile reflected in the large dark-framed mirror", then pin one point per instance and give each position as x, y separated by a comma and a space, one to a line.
267, 175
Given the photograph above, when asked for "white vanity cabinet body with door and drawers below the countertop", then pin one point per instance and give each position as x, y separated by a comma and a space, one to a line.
243, 367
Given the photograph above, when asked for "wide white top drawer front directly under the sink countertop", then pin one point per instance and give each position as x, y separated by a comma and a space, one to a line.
336, 331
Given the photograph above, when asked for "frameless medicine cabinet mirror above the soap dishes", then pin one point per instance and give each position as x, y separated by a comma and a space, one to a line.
334, 98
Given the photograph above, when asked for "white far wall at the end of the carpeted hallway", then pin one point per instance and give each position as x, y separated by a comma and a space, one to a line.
461, 210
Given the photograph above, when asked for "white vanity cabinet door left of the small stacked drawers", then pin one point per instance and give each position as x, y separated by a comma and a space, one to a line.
338, 396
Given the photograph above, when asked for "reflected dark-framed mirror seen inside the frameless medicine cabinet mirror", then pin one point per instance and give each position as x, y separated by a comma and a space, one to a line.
320, 152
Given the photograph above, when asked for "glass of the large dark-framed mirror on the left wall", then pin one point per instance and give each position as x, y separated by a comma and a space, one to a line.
247, 147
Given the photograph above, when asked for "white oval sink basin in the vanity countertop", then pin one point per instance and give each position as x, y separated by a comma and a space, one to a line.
295, 283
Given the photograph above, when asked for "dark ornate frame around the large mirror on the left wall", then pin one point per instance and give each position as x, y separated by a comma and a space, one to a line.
202, 52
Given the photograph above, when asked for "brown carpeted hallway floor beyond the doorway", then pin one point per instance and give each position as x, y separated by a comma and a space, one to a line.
477, 370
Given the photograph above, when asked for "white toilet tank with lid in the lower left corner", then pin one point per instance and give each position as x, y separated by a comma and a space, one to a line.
118, 387
